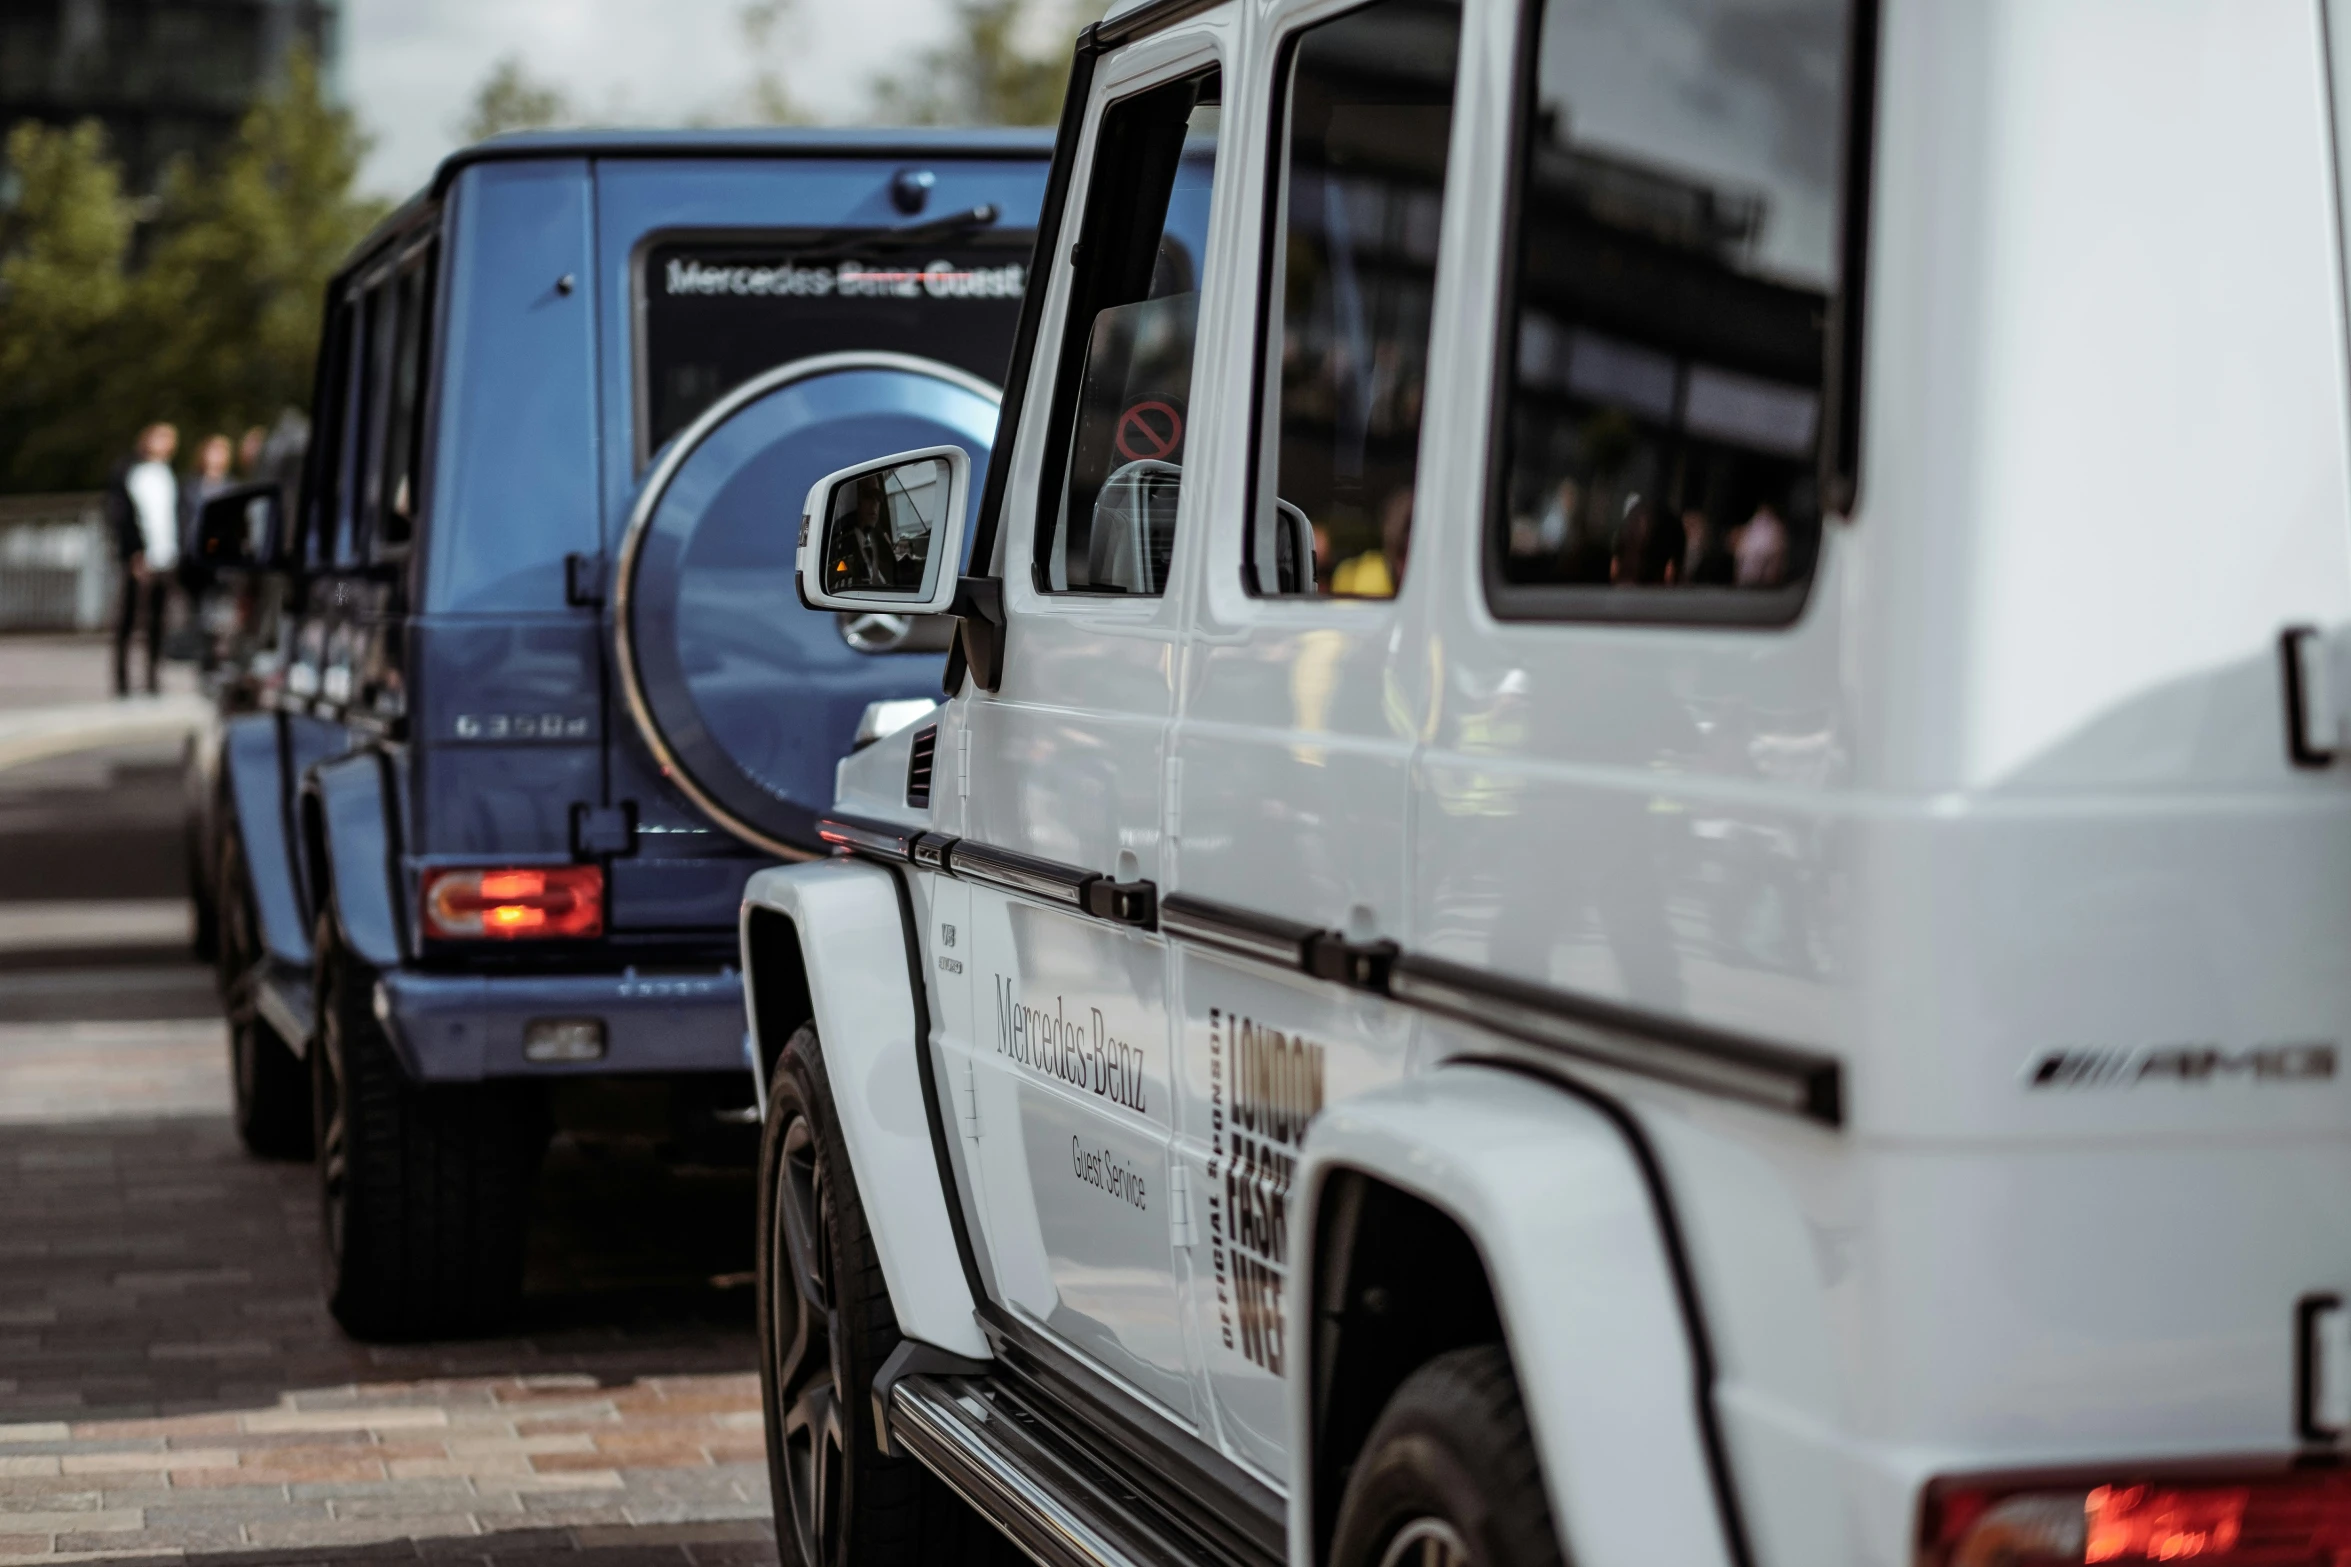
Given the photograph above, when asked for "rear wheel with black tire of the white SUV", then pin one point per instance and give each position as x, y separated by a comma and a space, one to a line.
1449, 1474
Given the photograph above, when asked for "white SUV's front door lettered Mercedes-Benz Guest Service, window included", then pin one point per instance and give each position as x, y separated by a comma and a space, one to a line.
1066, 1037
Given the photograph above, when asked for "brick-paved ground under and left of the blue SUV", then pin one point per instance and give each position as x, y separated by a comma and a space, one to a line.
170, 1383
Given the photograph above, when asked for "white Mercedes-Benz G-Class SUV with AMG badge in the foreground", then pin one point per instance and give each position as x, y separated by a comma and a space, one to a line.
1640, 849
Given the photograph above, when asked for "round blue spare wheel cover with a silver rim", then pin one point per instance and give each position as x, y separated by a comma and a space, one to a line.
746, 697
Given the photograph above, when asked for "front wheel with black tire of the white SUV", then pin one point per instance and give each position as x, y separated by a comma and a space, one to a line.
826, 1329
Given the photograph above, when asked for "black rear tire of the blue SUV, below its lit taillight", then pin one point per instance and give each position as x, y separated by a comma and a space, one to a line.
424, 1190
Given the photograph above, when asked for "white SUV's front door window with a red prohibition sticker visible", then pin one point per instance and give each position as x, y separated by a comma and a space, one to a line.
1123, 394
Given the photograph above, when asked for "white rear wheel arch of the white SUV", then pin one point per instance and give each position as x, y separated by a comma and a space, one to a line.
1583, 1291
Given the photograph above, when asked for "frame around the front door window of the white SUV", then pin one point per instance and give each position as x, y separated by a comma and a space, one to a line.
1069, 349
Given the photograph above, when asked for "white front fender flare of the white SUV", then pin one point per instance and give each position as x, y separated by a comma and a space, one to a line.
852, 941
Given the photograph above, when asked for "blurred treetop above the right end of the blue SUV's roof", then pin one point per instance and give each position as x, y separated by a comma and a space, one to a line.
989, 72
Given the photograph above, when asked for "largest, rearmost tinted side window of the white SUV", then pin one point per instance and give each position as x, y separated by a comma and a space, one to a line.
1677, 264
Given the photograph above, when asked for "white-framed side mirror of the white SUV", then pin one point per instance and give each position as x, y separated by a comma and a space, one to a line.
890, 534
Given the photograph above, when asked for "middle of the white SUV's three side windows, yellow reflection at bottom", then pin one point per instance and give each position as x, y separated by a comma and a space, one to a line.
1360, 182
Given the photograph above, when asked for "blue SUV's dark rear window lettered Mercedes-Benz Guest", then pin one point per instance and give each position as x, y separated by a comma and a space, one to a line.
718, 314
